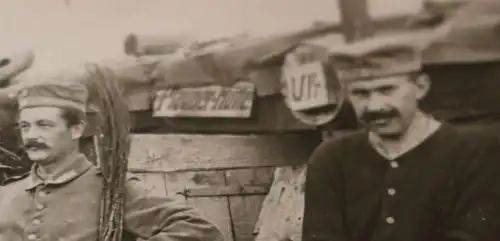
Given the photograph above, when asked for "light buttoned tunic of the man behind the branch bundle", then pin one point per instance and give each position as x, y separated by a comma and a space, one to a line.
67, 208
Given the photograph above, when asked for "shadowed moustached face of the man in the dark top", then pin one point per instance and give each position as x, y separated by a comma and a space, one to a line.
387, 105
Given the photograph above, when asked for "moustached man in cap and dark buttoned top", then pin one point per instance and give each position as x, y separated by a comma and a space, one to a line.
407, 176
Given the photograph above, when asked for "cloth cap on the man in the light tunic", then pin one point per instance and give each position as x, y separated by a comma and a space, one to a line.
62, 95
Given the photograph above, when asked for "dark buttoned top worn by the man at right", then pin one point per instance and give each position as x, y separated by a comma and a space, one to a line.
446, 188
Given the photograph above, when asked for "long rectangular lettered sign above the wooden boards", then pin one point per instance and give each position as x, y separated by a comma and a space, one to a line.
209, 101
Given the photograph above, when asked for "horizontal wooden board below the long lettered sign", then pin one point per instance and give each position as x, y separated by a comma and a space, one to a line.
174, 153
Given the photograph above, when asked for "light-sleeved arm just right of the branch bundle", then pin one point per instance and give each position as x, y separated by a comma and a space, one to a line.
164, 218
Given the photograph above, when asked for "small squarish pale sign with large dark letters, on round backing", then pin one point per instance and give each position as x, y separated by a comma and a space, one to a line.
305, 86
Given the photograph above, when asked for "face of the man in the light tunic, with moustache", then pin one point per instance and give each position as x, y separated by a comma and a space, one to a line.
45, 133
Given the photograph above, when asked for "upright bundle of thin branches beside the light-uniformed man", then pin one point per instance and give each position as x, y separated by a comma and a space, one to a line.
112, 145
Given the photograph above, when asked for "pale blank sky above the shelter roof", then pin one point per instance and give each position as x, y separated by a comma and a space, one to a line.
63, 35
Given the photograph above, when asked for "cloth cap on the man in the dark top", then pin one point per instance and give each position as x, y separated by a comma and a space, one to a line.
378, 57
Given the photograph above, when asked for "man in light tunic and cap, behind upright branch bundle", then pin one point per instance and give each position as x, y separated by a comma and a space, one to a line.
60, 199
